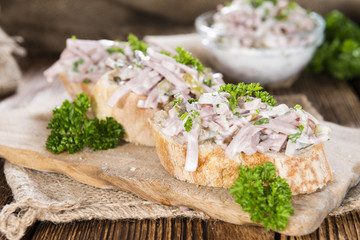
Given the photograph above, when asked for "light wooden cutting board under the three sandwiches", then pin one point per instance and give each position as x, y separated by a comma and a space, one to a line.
137, 169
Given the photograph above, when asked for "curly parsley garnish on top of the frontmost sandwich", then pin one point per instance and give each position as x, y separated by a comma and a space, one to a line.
245, 90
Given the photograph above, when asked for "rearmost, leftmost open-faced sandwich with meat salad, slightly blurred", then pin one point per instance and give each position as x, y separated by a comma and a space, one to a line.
83, 62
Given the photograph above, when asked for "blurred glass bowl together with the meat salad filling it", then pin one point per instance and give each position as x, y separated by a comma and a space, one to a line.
266, 41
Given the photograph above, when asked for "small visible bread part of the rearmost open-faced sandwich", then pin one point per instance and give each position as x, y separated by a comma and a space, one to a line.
75, 88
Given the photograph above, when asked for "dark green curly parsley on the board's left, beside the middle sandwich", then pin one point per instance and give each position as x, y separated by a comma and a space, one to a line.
72, 130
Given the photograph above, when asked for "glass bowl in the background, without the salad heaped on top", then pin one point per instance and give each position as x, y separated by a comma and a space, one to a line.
276, 67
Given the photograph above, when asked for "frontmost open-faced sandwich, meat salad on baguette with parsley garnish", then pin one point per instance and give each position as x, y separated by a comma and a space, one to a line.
205, 140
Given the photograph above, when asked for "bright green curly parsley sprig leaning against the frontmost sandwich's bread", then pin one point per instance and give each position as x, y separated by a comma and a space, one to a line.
263, 195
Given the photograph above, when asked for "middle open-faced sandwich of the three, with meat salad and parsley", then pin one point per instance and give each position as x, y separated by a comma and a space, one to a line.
132, 94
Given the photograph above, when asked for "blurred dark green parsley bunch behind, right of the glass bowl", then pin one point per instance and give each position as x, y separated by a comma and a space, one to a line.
339, 55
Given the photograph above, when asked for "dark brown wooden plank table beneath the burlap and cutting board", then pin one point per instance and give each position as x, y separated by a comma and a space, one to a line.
336, 101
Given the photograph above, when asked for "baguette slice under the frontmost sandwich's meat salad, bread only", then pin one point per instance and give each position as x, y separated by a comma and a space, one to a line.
305, 172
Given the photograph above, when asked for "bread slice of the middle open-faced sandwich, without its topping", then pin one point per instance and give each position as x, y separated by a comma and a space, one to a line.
133, 119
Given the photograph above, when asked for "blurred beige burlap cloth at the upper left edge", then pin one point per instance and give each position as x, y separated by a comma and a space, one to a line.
10, 73
